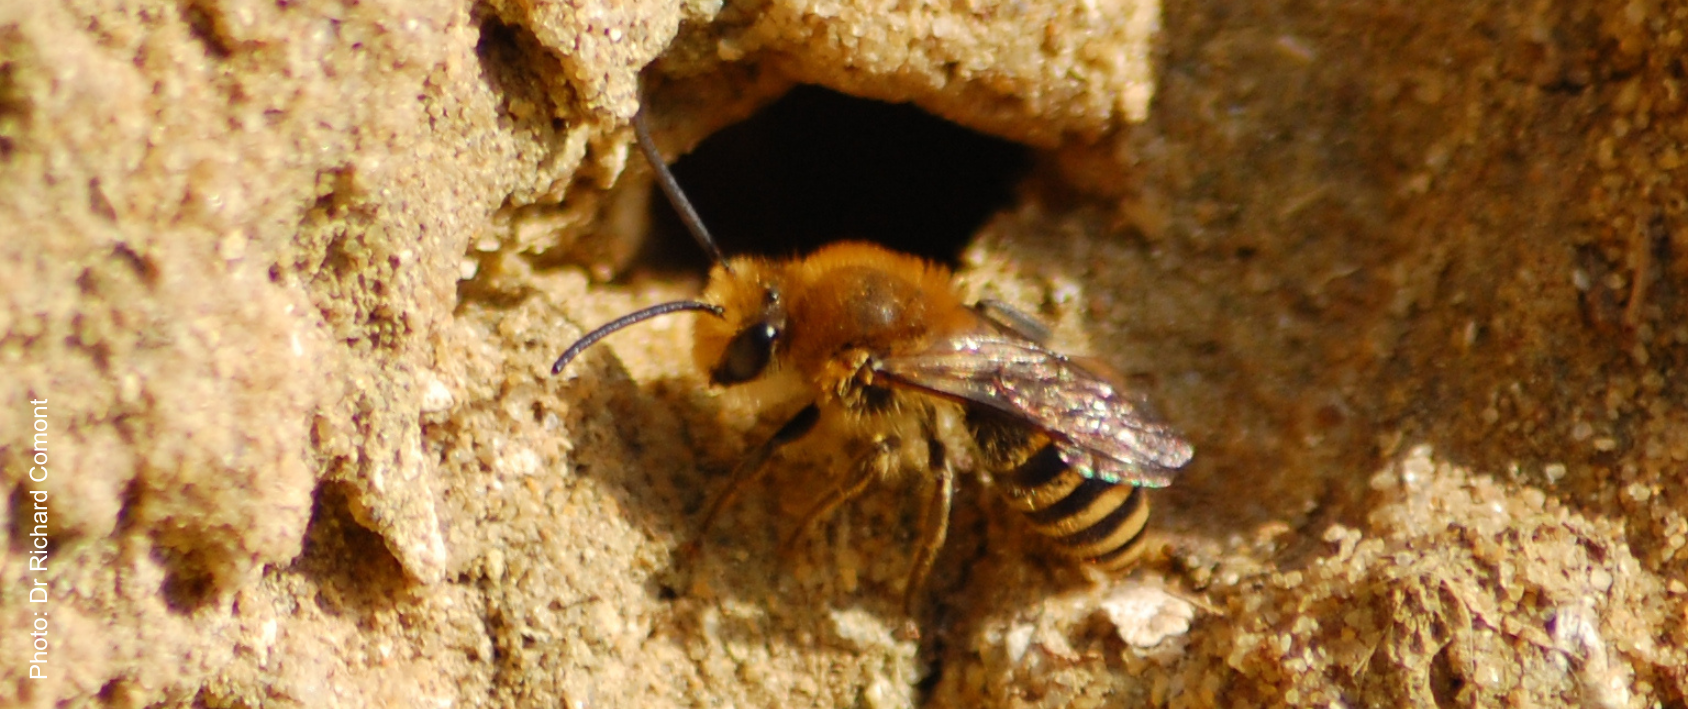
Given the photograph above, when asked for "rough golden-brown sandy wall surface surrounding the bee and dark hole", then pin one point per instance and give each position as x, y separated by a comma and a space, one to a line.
288, 279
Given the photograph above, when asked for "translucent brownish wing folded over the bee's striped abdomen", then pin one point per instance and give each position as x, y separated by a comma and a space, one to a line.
1098, 428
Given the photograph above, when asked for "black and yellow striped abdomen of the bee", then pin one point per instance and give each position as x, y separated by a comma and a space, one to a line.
1090, 521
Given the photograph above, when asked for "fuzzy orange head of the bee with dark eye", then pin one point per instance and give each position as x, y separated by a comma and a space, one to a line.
740, 345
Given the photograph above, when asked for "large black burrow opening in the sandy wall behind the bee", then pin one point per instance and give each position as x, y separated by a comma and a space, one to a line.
820, 166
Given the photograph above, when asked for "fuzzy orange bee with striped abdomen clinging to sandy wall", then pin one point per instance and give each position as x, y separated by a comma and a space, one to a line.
882, 349
